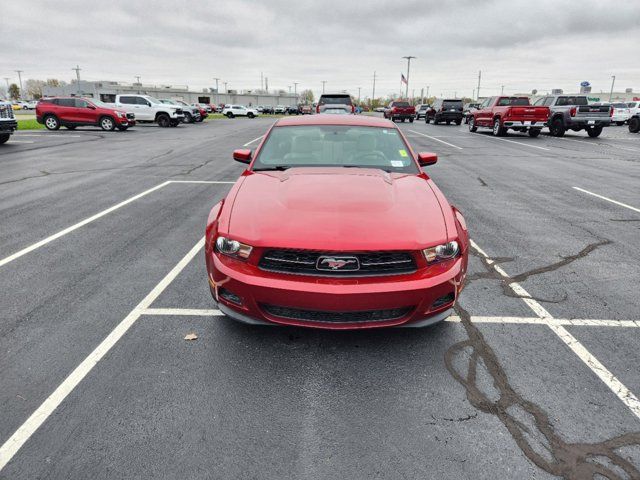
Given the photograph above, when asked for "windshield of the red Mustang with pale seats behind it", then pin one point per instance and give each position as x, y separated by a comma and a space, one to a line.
335, 146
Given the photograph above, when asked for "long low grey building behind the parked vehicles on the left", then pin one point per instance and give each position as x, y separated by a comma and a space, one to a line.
106, 91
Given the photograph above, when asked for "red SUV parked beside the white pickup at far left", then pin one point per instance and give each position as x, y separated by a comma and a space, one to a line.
72, 112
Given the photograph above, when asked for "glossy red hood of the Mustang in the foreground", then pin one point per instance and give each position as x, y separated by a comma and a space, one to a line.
337, 209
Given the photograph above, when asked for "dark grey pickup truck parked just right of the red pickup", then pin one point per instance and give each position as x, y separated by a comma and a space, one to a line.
573, 112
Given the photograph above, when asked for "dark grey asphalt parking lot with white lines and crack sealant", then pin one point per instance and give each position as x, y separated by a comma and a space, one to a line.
102, 275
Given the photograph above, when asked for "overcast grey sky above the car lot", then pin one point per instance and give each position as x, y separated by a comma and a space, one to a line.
519, 44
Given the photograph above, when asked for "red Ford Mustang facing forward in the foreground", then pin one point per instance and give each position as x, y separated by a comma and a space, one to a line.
334, 225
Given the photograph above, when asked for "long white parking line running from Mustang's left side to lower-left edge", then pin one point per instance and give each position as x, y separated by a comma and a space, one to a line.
37, 418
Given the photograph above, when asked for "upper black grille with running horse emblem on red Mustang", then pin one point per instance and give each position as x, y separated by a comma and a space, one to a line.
307, 262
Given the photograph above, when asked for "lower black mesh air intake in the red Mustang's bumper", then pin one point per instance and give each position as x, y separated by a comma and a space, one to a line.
336, 317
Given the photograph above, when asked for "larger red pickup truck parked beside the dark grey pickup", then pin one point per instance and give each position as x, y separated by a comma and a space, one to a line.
503, 113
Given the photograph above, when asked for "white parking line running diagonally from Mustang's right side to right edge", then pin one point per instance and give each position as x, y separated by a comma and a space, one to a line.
609, 379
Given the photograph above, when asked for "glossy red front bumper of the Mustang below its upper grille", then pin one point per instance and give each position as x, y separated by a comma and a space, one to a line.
426, 296
